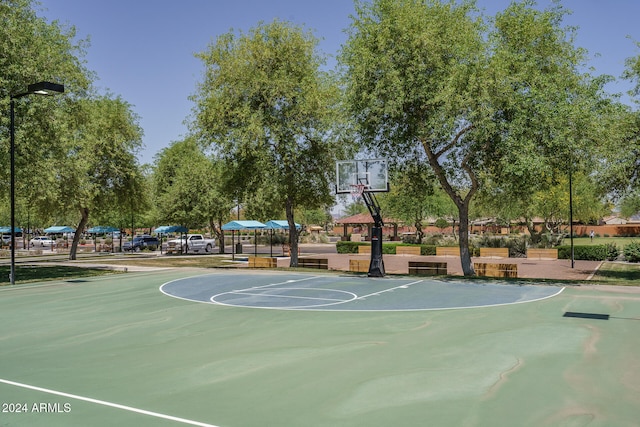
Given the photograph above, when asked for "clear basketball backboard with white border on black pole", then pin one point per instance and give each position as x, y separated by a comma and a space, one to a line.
372, 173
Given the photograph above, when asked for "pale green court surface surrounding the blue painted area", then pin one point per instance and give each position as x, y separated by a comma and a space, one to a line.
116, 350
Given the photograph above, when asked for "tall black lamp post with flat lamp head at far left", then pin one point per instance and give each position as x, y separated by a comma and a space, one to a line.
41, 88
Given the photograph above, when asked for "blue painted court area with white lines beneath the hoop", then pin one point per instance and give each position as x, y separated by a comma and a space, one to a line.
349, 293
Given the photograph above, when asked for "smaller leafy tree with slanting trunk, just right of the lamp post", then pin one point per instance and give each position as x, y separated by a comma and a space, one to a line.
96, 167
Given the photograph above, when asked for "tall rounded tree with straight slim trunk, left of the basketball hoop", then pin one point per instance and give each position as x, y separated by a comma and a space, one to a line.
270, 113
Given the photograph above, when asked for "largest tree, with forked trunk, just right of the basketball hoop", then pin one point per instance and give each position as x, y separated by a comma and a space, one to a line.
483, 100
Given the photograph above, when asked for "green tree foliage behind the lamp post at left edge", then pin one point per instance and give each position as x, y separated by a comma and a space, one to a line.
34, 50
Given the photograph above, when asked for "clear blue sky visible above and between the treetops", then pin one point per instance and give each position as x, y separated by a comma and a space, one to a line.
144, 50
